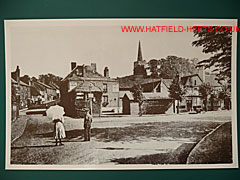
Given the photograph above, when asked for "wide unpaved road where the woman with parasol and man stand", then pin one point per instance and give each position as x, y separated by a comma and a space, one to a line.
158, 139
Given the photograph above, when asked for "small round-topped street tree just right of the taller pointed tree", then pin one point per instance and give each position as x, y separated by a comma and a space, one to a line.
205, 90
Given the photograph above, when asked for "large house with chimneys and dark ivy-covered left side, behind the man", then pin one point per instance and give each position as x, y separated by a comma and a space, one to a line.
84, 88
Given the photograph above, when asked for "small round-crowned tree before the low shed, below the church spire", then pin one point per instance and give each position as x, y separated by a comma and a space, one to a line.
138, 96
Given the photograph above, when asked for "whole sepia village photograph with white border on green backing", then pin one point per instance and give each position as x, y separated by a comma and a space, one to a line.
105, 94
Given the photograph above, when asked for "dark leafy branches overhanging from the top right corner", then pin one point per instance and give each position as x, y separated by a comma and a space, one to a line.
219, 44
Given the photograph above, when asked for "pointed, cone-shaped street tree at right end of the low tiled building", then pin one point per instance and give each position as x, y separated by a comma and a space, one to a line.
176, 91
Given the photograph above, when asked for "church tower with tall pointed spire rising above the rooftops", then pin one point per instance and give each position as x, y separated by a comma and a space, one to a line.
140, 64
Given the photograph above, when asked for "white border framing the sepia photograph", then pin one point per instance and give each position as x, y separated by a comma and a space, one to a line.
103, 22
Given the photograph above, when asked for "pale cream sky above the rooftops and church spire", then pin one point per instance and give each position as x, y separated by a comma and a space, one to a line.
43, 46
